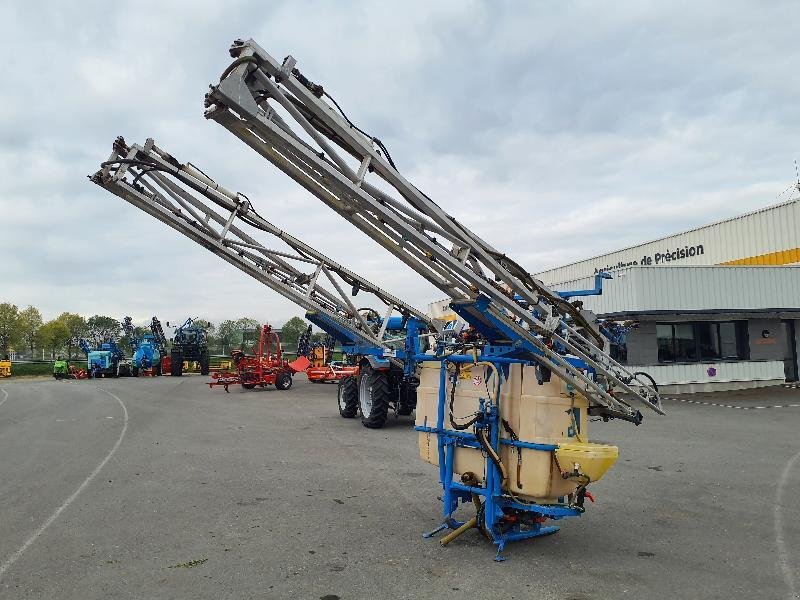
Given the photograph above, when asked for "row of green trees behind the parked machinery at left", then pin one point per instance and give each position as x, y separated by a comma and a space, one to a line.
24, 332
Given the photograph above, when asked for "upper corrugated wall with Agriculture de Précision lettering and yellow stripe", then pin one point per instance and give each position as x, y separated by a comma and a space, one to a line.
770, 236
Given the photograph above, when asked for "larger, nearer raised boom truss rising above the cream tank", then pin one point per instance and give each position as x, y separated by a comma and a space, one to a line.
295, 124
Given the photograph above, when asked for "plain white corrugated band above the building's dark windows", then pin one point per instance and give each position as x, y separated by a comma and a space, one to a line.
677, 289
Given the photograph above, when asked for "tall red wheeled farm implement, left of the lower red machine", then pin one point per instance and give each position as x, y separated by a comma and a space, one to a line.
265, 367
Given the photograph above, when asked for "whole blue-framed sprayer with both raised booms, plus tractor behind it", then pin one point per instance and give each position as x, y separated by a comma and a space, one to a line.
502, 408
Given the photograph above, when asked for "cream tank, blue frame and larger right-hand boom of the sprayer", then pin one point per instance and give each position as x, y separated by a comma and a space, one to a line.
503, 412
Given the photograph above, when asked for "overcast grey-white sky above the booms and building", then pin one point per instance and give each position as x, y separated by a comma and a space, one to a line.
558, 131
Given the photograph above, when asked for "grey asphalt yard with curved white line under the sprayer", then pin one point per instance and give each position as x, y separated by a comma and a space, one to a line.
163, 488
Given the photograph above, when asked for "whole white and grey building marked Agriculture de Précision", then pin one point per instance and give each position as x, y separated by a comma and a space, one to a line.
713, 308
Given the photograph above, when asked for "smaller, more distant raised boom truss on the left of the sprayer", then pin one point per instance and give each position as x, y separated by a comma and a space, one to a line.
186, 199
